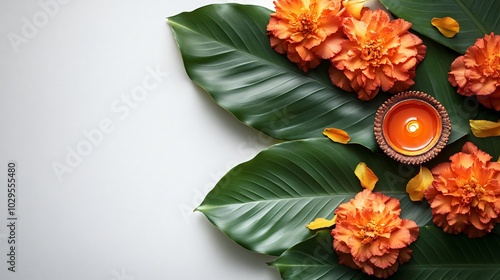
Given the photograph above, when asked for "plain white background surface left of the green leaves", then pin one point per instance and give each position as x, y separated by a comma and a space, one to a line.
125, 210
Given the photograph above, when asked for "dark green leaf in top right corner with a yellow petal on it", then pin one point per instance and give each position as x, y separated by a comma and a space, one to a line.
476, 18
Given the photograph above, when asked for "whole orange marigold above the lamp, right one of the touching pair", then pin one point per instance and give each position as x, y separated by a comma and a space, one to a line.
380, 54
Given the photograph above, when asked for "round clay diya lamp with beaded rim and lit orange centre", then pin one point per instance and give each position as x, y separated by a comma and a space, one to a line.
412, 127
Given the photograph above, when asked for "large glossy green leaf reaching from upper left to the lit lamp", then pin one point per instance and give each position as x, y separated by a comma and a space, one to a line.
226, 52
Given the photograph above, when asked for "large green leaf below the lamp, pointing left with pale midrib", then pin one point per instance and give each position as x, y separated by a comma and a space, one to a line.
266, 203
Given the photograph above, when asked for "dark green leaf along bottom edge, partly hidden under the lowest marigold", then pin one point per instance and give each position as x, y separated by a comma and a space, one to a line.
436, 255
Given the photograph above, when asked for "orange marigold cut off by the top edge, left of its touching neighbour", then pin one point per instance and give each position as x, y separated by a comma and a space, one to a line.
306, 30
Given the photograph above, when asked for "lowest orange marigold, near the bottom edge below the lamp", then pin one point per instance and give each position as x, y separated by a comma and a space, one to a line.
370, 235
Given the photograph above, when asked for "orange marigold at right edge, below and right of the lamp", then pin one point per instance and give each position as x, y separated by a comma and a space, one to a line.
464, 195
